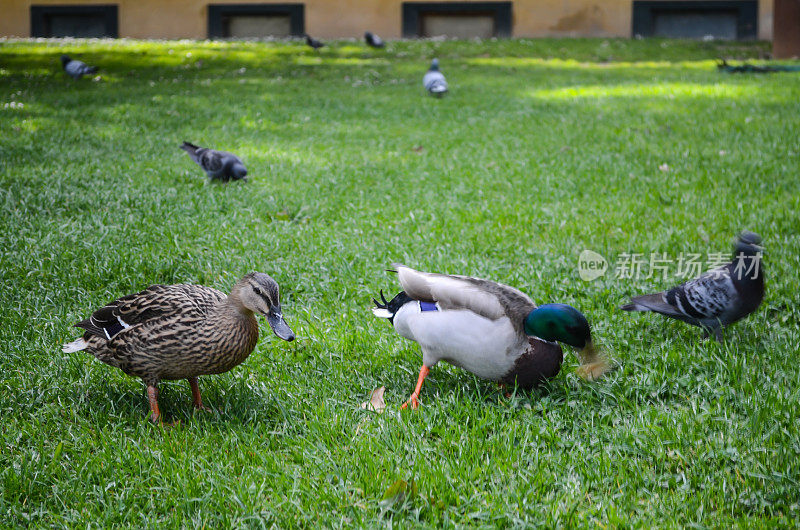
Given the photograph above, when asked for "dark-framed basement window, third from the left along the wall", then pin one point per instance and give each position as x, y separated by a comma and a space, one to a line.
457, 19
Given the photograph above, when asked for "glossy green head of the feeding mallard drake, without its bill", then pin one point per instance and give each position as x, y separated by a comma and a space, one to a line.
559, 322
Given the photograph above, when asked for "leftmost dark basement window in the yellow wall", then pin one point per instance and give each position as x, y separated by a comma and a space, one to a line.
74, 21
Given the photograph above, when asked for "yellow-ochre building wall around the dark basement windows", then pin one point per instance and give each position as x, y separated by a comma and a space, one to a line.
180, 19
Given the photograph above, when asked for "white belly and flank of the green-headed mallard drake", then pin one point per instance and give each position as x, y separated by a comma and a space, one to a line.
462, 338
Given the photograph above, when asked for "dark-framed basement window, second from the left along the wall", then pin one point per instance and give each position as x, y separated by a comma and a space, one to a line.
241, 21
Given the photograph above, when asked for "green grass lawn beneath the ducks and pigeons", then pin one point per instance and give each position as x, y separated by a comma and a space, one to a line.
542, 149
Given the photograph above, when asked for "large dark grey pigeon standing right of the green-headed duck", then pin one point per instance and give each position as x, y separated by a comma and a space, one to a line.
717, 298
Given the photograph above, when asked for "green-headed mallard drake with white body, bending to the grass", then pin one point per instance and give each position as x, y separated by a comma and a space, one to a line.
492, 330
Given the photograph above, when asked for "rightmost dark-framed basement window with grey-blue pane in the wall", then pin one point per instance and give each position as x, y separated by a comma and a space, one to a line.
737, 19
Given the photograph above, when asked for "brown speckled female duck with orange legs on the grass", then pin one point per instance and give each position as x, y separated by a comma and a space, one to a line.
181, 331
